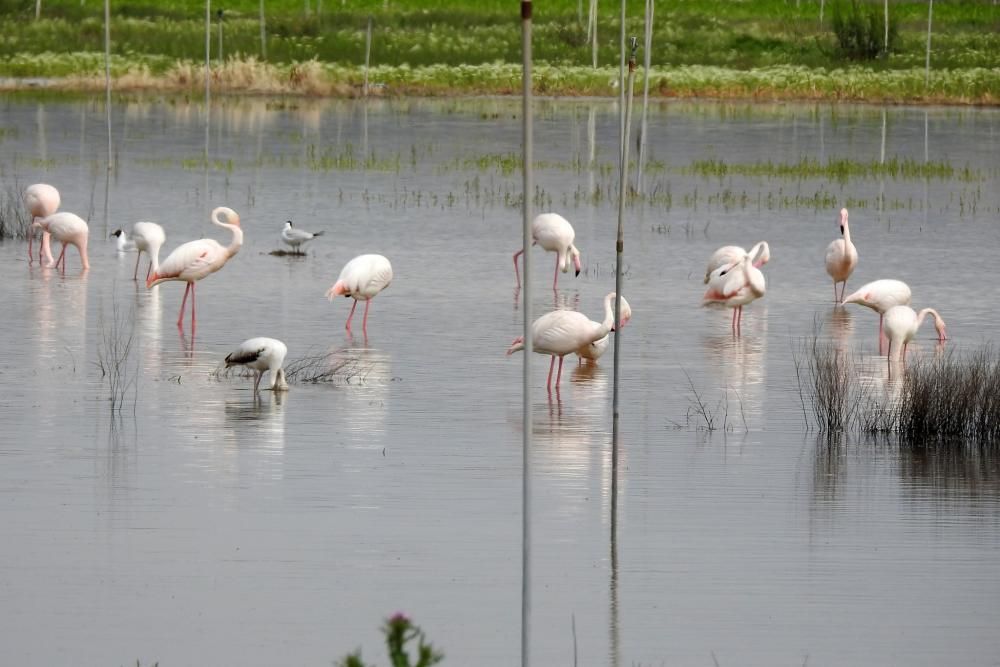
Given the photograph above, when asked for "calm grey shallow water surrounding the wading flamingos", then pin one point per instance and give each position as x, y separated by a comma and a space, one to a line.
199, 525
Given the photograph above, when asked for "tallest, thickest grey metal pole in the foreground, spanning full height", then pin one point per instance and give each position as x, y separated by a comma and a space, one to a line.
526, 309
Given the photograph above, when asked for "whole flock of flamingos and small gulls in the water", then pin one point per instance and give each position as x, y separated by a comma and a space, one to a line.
733, 277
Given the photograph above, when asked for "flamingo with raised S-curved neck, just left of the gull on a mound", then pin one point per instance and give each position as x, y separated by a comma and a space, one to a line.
194, 260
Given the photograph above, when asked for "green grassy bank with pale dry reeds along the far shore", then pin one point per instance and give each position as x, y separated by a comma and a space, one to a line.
770, 49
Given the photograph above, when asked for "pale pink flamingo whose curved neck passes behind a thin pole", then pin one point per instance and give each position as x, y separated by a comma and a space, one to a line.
563, 332
